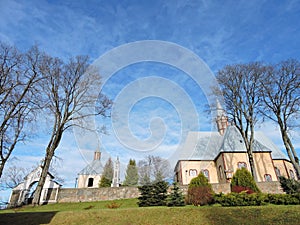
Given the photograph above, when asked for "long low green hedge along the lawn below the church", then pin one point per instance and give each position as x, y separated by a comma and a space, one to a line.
256, 199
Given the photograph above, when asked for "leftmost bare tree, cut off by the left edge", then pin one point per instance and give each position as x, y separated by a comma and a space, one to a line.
18, 77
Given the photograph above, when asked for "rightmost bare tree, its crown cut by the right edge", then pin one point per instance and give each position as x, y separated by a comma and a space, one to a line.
281, 102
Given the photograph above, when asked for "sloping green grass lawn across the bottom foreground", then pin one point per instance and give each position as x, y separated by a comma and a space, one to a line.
129, 213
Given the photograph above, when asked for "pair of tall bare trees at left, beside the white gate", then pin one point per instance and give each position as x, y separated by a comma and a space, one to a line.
35, 85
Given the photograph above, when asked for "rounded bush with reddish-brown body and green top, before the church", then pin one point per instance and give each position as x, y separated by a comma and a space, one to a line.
200, 191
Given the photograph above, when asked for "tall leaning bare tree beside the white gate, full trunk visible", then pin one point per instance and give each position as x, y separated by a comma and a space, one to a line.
66, 90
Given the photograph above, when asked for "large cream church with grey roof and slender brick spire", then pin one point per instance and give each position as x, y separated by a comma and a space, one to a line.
219, 154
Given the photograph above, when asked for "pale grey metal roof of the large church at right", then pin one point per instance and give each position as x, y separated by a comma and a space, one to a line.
208, 145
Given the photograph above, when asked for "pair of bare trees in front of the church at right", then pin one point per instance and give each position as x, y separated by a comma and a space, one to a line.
259, 92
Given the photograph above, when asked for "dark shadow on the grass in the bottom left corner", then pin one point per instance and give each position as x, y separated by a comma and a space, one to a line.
33, 218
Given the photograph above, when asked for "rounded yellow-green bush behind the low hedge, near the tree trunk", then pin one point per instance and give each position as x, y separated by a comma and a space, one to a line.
243, 178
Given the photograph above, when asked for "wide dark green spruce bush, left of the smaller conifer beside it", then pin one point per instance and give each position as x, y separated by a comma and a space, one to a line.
153, 194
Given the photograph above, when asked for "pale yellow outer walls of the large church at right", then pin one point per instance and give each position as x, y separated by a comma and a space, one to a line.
229, 161
